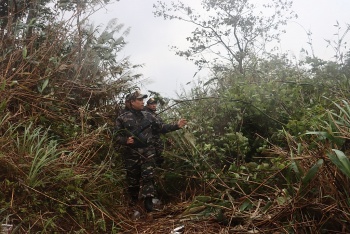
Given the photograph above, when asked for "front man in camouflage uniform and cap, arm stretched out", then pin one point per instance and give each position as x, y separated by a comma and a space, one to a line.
135, 129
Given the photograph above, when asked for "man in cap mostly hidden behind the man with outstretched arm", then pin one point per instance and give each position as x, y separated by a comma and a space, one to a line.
151, 107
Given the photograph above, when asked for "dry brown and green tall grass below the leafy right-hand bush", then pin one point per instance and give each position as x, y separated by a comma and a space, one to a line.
302, 188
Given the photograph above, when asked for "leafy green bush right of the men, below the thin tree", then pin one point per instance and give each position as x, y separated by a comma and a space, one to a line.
257, 106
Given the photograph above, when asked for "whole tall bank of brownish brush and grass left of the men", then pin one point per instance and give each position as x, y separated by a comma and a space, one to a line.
59, 85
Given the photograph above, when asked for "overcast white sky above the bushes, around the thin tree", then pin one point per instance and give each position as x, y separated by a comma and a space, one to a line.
150, 38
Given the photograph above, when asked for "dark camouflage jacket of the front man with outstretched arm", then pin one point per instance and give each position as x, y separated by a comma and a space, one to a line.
142, 125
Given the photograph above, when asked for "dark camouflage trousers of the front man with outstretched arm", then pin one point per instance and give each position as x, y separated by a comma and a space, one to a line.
139, 164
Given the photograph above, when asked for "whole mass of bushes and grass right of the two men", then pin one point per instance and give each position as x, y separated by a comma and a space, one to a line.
283, 118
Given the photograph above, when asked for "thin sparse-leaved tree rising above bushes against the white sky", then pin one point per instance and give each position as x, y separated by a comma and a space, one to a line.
227, 32
